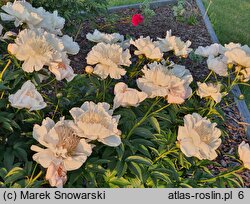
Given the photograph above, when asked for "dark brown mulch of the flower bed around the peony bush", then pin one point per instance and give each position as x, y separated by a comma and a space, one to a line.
163, 21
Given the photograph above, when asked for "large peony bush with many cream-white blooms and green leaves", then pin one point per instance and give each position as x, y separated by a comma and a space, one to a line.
135, 117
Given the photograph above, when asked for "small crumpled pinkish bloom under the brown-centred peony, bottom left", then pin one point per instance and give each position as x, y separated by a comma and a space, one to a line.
56, 175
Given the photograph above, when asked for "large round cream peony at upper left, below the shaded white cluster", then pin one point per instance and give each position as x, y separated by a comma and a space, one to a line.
34, 48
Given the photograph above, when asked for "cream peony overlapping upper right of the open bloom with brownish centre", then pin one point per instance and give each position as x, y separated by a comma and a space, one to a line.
97, 123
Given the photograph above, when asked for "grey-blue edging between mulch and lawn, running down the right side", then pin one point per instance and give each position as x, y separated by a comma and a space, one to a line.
241, 104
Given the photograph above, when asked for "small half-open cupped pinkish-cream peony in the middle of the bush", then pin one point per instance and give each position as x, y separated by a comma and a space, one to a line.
125, 96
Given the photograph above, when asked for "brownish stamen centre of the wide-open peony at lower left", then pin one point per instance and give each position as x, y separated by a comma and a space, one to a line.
68, 139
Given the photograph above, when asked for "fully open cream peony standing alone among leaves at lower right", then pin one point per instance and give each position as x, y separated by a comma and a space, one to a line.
199, 137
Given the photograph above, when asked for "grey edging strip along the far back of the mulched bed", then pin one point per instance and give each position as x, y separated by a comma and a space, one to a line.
135, 6
